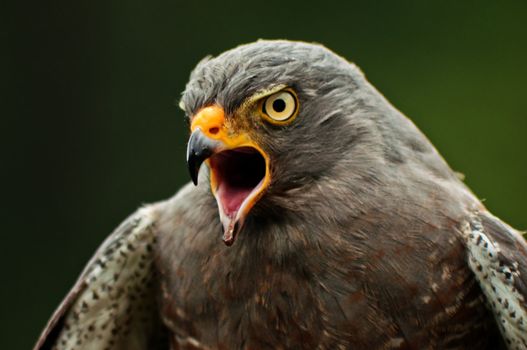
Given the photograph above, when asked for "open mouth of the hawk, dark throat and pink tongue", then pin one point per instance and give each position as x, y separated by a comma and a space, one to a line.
237, 178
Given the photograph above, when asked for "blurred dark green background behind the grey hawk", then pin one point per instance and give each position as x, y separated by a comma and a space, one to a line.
91, 129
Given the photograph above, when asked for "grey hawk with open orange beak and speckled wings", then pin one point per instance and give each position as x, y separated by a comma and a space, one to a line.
342, 228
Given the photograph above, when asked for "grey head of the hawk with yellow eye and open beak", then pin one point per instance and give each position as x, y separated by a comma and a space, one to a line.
273, 120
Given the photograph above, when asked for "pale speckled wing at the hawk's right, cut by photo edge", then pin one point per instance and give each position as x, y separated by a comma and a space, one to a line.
497, 254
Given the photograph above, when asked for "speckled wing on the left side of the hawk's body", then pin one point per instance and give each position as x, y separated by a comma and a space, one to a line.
113, 303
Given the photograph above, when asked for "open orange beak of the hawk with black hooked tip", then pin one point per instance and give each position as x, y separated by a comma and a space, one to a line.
239, 168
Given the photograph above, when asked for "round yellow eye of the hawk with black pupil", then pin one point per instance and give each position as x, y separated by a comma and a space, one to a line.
281, 107
